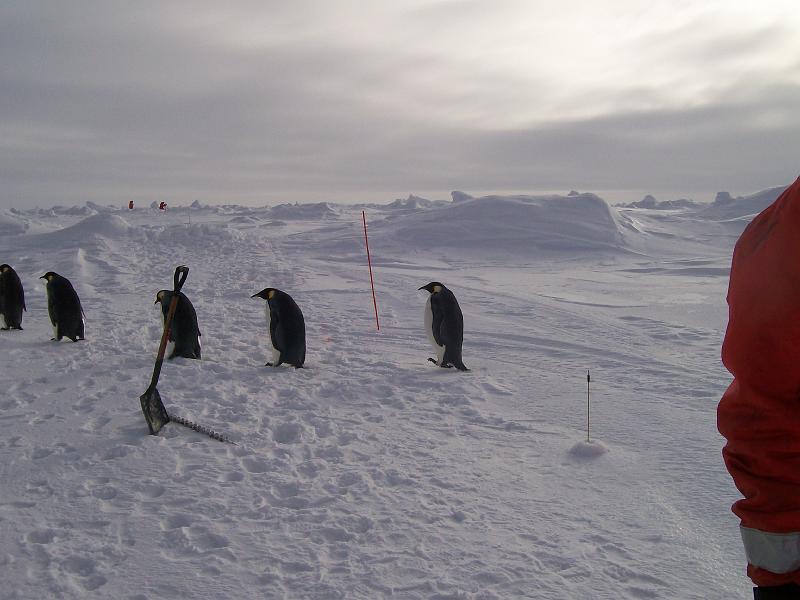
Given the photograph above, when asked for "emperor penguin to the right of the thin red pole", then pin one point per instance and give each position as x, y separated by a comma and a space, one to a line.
444, 325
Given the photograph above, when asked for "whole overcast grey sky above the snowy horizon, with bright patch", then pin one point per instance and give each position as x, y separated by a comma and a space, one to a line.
268, 101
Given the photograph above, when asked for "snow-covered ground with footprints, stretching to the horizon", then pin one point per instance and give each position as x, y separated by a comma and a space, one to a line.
371, 473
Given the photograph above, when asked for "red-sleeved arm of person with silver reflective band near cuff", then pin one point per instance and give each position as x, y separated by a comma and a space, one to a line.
759, 414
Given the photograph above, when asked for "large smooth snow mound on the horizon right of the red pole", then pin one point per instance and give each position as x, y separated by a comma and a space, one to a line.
517, 224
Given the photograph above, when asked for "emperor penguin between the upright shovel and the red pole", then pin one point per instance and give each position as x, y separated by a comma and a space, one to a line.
287, 328
